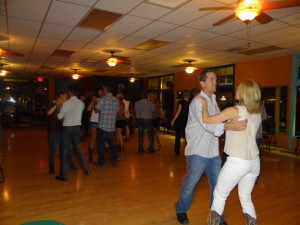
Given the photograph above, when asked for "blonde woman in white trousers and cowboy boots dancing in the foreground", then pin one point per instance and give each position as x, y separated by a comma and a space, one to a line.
243, 164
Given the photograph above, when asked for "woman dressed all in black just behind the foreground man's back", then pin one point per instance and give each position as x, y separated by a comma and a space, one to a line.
180, 120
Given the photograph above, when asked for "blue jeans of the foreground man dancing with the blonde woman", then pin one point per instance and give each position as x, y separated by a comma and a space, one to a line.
196, 166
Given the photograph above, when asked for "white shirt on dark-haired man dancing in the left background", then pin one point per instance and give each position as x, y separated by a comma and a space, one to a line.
71, 112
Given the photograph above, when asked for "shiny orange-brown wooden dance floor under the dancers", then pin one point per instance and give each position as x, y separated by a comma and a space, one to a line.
140, 190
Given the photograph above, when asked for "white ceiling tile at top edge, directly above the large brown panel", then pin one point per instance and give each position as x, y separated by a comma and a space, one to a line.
115, 6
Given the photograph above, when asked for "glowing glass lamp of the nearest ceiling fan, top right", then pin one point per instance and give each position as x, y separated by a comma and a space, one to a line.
247, 10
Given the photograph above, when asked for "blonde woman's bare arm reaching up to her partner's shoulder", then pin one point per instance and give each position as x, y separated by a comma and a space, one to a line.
227, 114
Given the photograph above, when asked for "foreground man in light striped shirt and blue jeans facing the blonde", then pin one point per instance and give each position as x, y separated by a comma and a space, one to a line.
202, 149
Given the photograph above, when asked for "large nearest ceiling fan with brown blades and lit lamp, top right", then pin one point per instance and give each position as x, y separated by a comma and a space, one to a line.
253, 7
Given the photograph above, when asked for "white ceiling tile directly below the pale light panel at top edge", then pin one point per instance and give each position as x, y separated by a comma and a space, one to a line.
149, 11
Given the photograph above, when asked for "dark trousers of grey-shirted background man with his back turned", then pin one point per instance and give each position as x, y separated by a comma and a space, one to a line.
144, 124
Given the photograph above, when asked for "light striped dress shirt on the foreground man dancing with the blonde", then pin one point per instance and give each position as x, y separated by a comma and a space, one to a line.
202, 138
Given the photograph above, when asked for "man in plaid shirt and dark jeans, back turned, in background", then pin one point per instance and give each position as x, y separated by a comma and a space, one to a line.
108, 106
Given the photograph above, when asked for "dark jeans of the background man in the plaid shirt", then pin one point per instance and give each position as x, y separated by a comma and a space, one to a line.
102, 137
